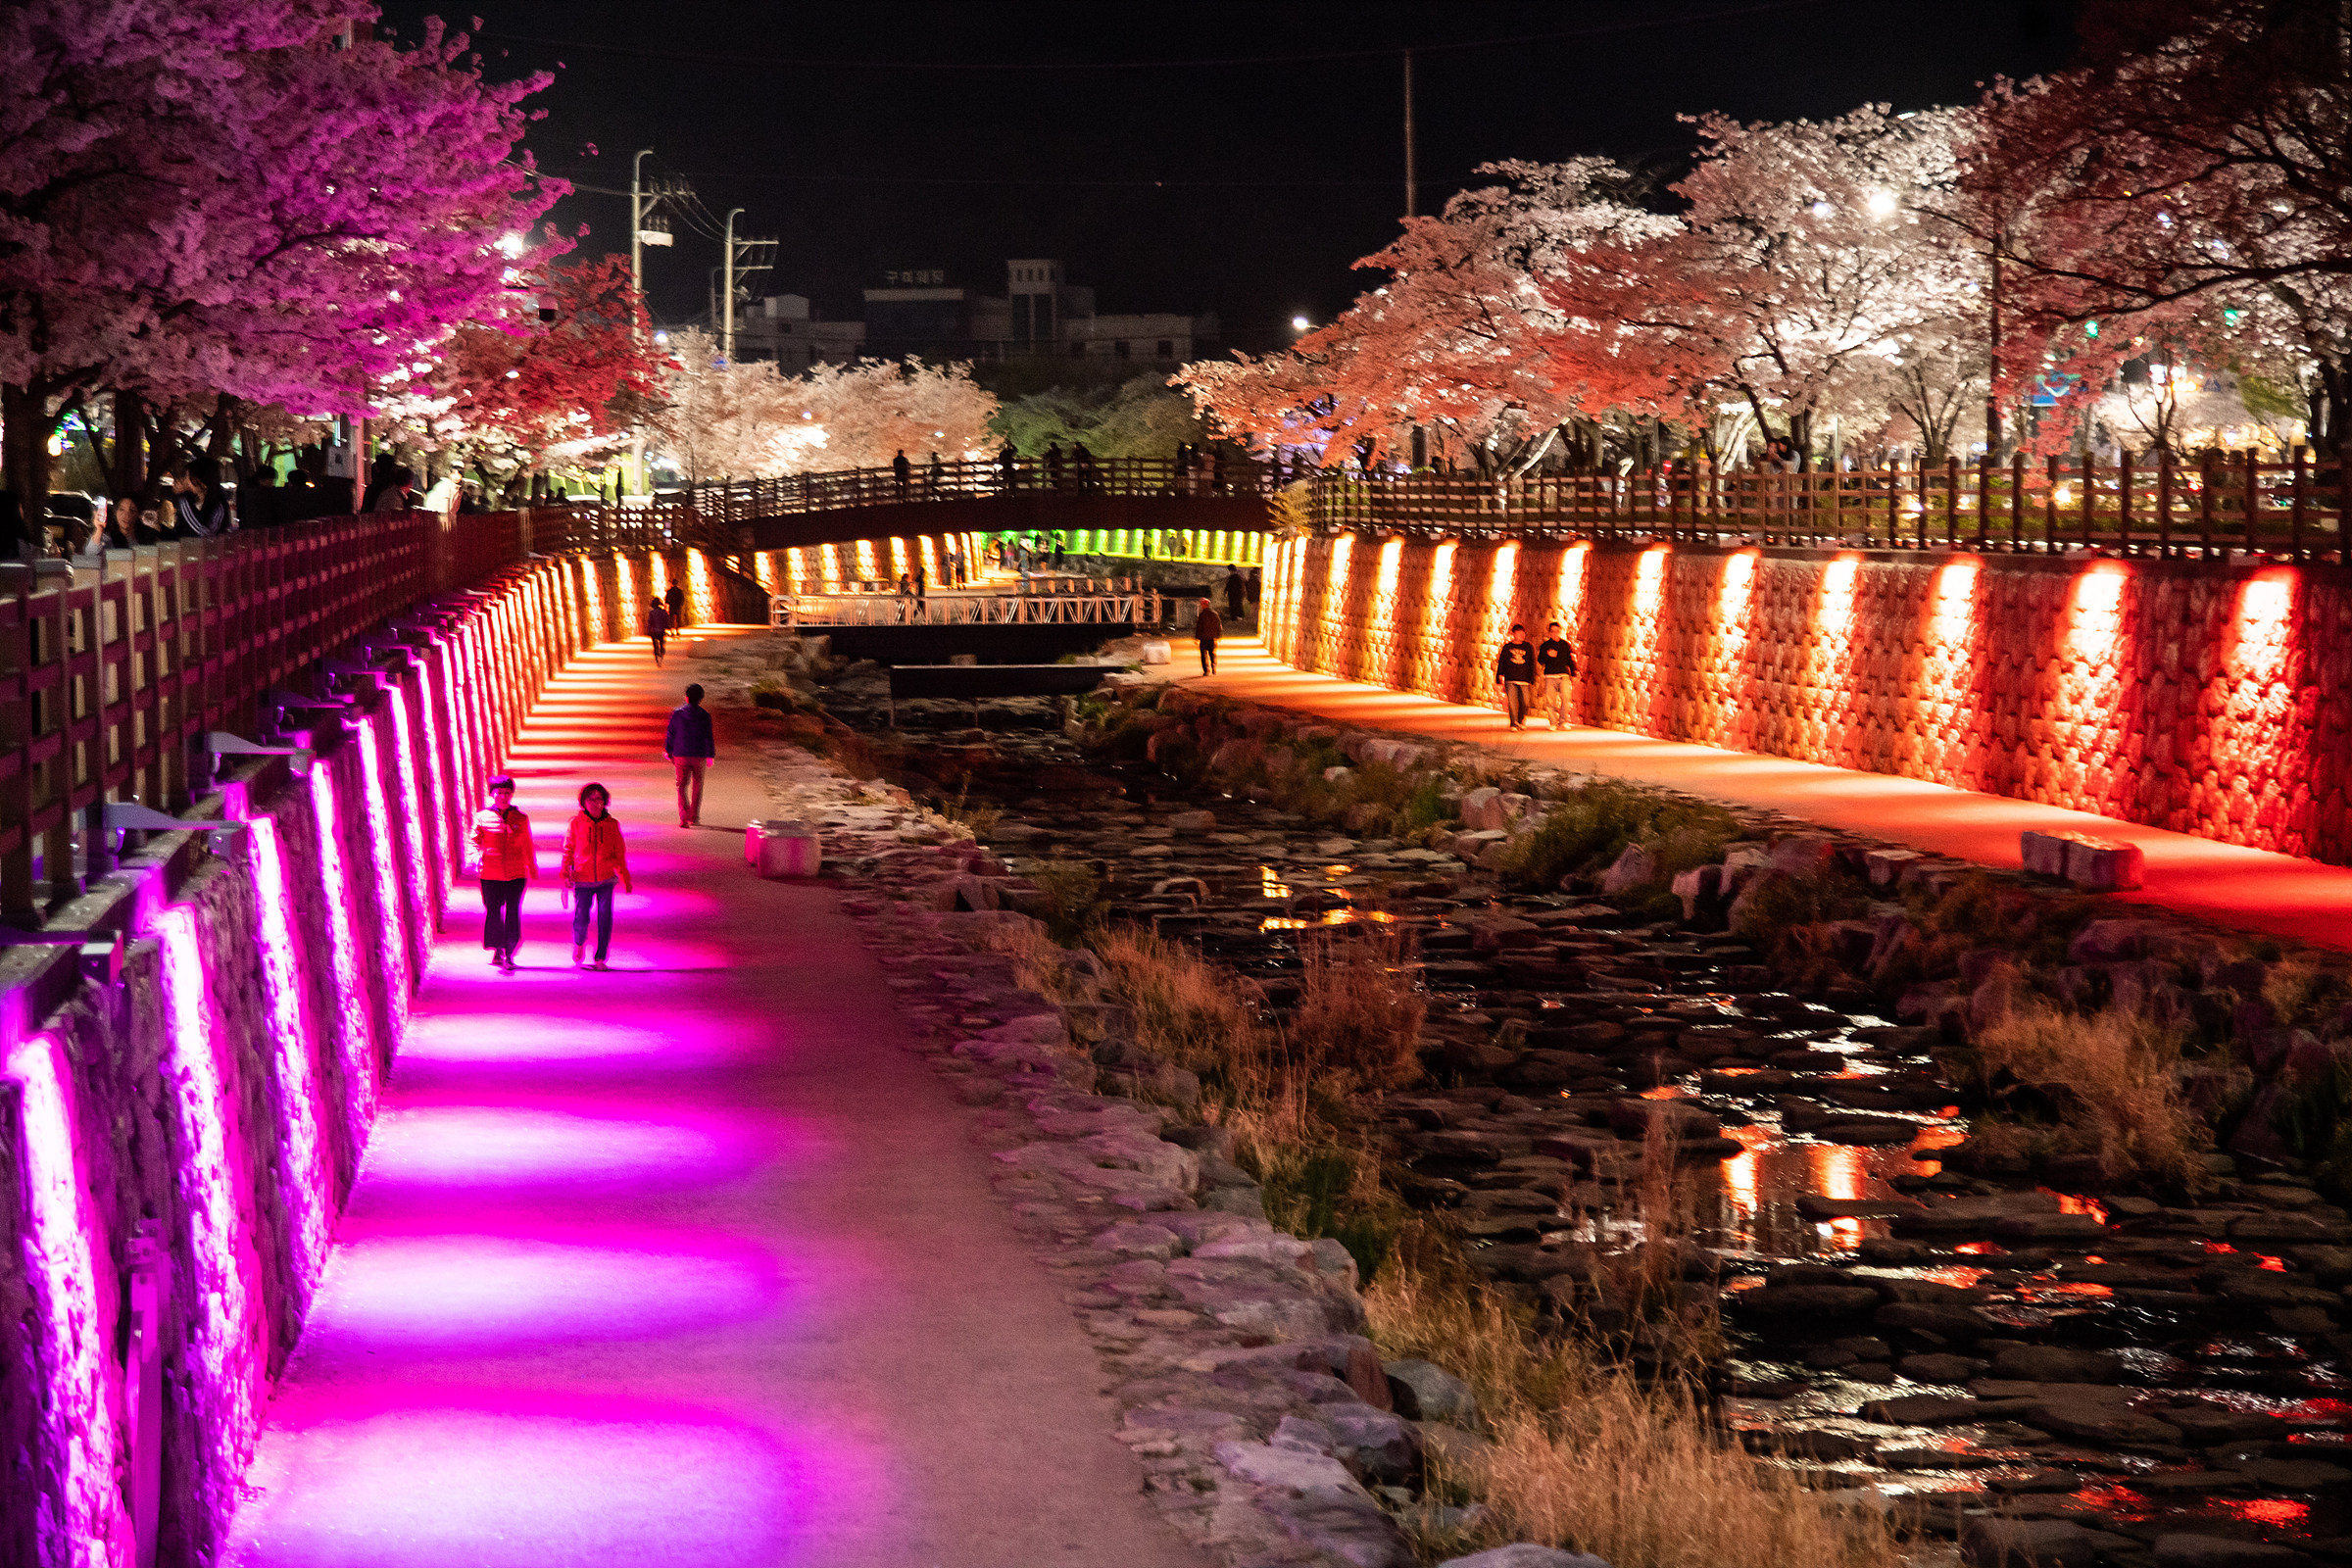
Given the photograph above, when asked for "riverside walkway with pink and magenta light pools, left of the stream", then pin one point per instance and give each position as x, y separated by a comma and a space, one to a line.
690, 1264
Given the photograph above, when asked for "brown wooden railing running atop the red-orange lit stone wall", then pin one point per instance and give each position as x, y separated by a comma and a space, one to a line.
2207, 509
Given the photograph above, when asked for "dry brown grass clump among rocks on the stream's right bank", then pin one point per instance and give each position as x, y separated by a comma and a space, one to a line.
2118, 1078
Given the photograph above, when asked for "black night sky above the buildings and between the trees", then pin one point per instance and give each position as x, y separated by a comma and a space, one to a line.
1241, 187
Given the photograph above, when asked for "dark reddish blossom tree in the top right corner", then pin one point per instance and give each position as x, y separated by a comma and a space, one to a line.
2184, 182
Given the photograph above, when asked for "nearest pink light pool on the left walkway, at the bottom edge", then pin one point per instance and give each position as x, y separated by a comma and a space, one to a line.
497, 1477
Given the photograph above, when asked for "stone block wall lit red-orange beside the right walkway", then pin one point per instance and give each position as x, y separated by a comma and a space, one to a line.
2184, 695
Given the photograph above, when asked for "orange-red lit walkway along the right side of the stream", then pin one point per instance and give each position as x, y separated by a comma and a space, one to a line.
2221, 883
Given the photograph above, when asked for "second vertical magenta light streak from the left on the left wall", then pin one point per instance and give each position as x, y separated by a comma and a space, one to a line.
227, 1339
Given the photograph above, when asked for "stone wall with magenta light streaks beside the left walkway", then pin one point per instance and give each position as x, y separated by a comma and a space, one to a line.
192, 1113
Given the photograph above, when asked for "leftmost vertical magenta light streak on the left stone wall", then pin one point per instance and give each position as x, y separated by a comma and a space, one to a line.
62, 1271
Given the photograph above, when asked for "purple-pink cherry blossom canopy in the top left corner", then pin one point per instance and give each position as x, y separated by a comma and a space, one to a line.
239, 196
